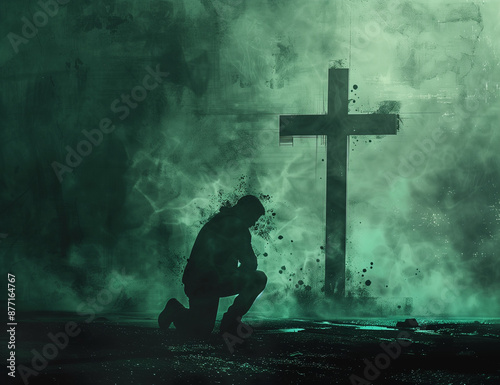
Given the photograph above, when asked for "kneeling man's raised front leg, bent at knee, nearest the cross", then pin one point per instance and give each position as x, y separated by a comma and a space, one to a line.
248, 286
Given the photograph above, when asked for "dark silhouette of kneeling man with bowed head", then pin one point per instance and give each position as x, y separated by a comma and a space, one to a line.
212, 272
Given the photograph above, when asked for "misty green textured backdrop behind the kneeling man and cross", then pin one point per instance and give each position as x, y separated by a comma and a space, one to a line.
209, 134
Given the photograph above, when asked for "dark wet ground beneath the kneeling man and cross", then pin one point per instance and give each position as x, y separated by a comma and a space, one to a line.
131, 350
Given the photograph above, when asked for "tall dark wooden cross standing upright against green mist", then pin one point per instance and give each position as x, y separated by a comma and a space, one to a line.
337, 125
